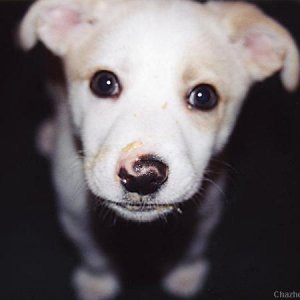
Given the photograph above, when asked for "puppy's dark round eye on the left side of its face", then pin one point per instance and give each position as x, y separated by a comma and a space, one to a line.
105, 84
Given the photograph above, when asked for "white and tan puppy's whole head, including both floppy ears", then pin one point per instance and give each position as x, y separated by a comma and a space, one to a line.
155, 87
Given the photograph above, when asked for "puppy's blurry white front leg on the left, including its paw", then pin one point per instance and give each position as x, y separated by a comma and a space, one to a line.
93, 280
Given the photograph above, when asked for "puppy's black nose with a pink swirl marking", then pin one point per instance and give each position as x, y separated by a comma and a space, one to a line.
145, 175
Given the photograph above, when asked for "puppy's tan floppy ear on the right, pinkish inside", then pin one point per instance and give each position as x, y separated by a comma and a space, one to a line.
264, 45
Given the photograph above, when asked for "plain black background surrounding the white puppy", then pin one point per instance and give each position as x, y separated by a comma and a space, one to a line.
256, 249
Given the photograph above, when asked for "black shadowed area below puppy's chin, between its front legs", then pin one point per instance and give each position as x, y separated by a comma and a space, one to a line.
143, 251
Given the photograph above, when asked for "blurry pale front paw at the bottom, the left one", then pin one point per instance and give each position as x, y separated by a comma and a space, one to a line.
93, 286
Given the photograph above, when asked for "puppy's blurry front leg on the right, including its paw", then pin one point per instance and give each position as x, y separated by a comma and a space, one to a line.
189, 276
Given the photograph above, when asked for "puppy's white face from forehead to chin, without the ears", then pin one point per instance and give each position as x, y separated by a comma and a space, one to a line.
150, 96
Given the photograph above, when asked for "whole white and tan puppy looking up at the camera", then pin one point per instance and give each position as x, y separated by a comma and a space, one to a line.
152, 92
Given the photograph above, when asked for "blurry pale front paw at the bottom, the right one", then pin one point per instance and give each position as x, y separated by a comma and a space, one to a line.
187, 279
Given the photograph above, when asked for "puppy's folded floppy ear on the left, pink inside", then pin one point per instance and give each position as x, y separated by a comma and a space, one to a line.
56, 23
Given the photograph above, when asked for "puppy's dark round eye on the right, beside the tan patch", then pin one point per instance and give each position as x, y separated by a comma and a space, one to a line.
203, 97
